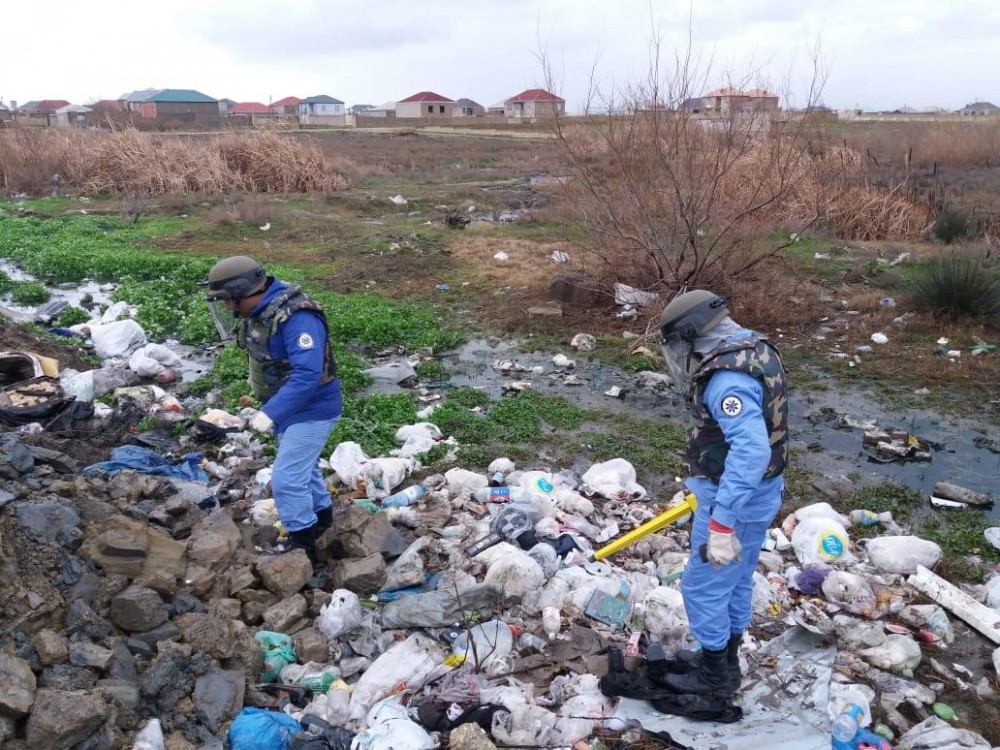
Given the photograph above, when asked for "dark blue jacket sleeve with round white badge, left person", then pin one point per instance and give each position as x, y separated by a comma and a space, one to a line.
303, 337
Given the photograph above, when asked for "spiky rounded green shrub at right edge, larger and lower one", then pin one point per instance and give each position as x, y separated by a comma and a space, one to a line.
959, 286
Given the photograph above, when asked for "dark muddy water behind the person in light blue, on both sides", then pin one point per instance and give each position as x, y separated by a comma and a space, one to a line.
962, 456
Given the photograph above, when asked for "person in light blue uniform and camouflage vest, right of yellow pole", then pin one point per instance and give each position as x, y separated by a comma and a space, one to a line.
737, 450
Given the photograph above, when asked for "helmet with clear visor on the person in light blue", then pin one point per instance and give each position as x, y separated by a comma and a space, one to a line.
683, 320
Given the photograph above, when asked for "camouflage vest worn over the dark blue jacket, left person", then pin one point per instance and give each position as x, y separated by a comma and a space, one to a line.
268, 374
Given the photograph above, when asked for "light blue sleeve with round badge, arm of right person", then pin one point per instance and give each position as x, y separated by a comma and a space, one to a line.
735, 401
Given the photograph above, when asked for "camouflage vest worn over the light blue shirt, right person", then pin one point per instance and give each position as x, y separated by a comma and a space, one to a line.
707, 448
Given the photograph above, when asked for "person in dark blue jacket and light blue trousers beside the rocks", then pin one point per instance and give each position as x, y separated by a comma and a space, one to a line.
294, 374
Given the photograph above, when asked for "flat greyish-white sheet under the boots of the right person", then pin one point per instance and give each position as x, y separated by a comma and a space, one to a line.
784, 705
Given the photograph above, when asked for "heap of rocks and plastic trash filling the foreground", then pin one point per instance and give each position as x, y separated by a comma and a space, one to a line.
144, 605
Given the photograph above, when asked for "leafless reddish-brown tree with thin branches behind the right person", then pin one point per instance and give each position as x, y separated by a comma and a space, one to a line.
675, 190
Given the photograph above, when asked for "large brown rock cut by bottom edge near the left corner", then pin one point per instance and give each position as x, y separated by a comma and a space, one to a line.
61, 719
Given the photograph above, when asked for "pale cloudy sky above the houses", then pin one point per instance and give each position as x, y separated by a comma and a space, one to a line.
915, 53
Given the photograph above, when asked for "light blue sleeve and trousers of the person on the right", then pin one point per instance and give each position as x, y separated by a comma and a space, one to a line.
718, 601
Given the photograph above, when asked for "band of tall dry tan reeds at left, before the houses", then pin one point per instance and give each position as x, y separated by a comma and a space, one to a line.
128, 162
